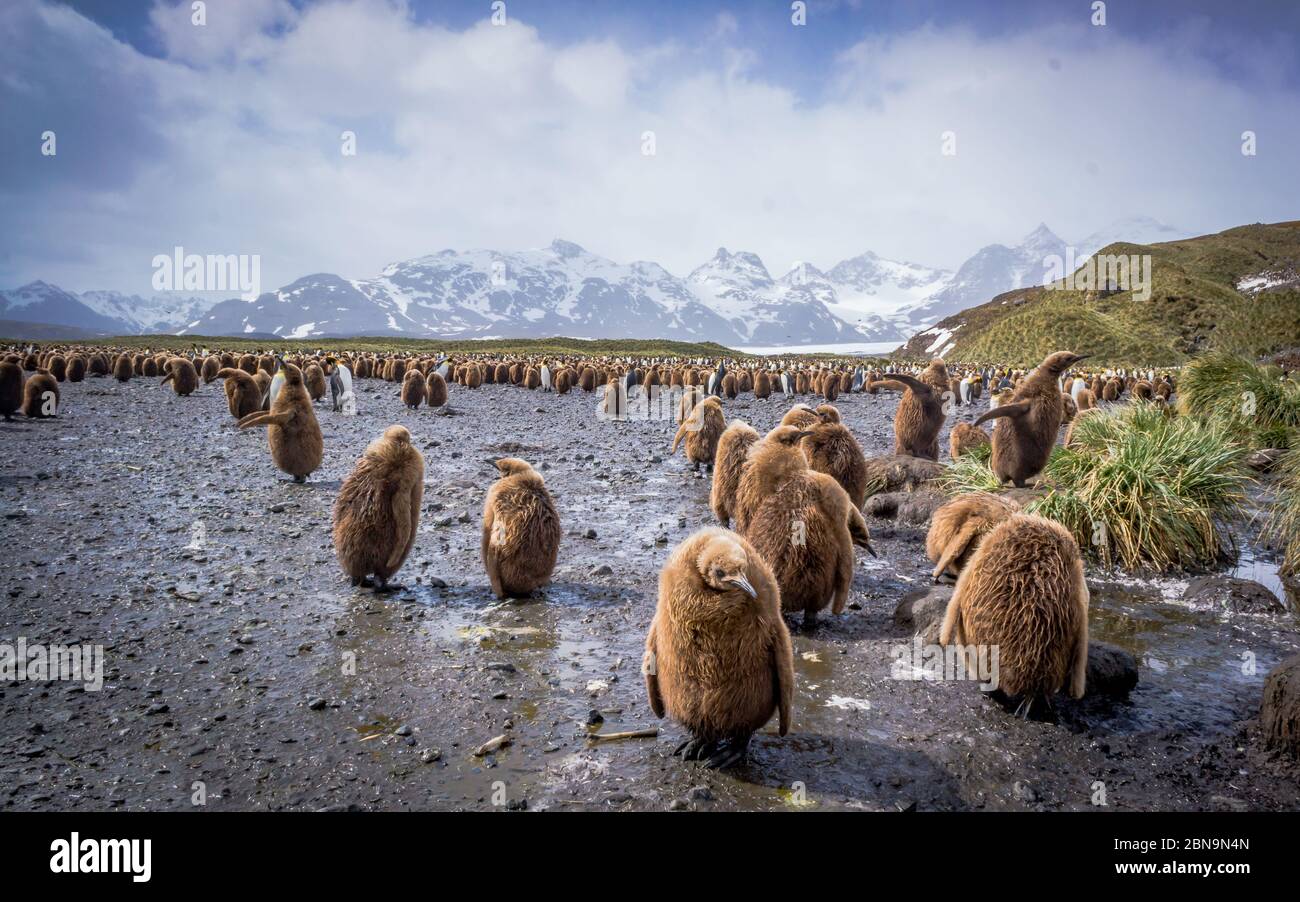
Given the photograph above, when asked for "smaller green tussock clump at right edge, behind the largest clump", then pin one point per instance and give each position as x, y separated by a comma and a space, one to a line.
1255, 402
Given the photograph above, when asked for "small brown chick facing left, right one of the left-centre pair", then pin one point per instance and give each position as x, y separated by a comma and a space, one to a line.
522, 531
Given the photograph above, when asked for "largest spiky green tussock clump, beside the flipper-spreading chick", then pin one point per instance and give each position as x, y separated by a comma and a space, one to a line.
1141, 489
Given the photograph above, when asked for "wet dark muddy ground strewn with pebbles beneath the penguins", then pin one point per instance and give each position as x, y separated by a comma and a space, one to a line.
242, 671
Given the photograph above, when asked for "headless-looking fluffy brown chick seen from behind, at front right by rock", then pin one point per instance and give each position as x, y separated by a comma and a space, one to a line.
1024, 593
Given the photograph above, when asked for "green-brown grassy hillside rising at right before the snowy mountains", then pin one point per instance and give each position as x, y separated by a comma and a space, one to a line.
1194, 307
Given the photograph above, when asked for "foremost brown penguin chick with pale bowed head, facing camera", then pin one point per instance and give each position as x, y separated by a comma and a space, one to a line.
718, 657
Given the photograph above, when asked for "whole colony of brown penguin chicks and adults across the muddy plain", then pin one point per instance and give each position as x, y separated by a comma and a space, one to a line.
718, 656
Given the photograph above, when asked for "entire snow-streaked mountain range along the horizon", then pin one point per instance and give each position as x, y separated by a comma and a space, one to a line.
565, 290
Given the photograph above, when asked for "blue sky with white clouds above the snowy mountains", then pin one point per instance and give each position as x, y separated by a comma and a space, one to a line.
813, 142
